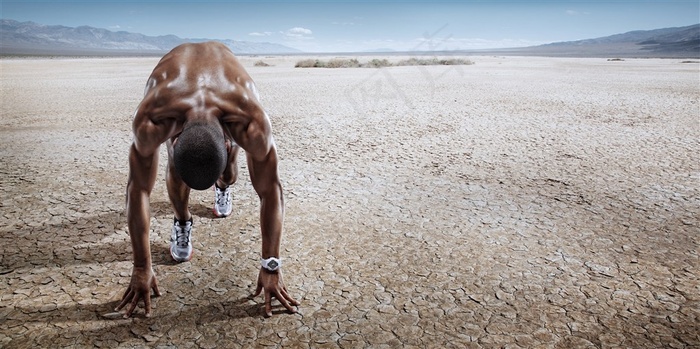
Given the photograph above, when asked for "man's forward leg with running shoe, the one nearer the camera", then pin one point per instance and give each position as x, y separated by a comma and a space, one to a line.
179, 193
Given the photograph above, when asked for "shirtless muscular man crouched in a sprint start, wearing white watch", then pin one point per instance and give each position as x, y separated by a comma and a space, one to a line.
200, 102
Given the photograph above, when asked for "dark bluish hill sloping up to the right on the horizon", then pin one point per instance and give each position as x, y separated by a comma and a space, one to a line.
667, 42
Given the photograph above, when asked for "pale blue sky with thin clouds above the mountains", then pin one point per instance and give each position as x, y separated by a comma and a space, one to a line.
335, 26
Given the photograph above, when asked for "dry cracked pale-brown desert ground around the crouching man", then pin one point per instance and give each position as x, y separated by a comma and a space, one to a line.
519, 202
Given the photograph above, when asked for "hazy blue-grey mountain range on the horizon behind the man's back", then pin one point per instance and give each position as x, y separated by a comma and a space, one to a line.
32, 38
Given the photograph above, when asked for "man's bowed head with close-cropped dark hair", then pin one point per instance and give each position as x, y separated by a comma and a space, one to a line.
200, 154
